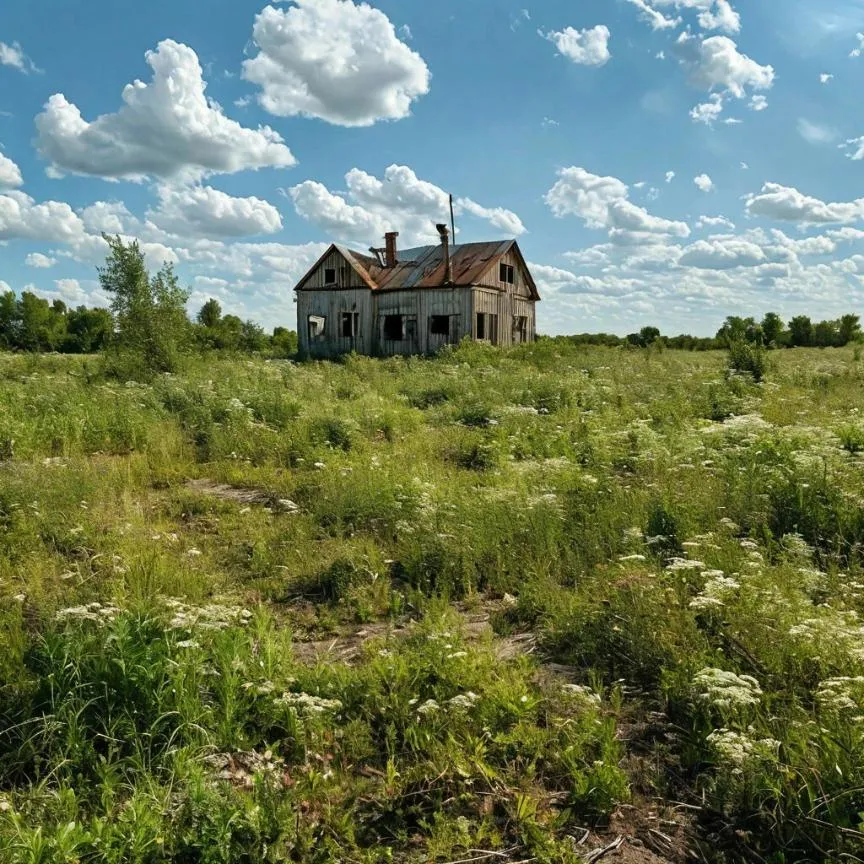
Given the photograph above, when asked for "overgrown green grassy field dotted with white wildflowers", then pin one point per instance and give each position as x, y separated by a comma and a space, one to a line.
488, 607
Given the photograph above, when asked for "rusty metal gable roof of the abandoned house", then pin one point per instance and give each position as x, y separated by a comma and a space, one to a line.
424, 266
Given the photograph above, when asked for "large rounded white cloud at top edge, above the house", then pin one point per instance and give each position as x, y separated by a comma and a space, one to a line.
335, 60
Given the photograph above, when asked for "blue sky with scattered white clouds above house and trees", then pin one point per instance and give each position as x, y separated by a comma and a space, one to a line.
255, 134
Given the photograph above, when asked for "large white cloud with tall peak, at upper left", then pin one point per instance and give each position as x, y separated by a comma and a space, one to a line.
165, 128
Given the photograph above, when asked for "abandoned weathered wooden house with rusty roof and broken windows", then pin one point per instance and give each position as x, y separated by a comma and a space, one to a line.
415, 301
